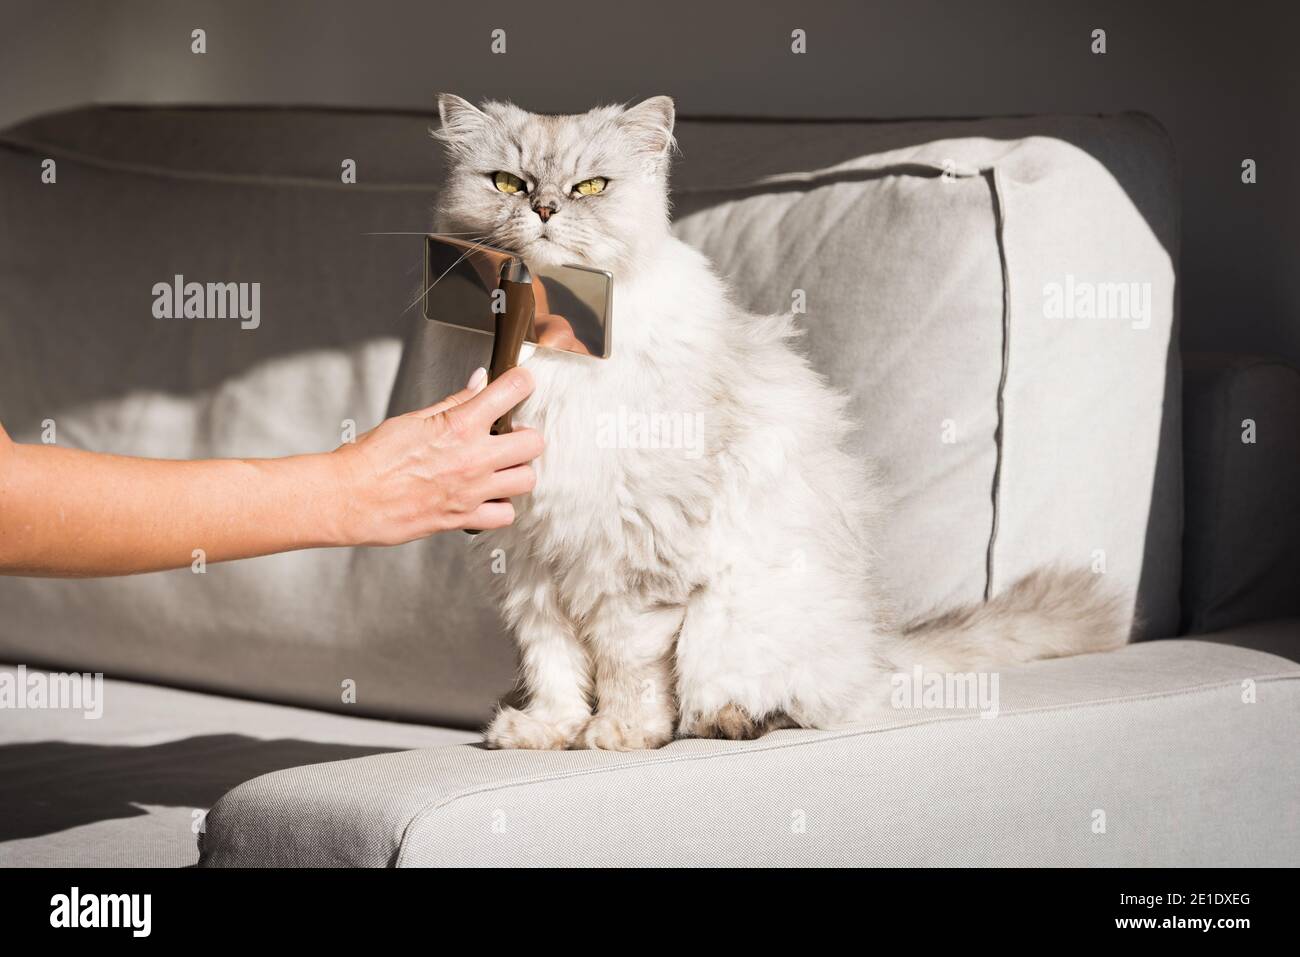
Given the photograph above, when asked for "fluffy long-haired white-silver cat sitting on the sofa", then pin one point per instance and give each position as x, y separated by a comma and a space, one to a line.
716, 588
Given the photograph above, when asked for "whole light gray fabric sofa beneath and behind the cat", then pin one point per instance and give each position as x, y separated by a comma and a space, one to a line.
999, 300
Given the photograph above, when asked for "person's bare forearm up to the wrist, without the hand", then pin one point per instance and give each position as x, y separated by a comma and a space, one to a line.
70, 513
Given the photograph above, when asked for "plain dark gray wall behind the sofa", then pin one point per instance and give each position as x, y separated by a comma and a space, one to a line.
1220, 77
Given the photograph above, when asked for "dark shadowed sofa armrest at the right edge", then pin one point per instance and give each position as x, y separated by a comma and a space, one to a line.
1242, 490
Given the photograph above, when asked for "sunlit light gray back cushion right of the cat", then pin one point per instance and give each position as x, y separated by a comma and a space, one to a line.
925, 252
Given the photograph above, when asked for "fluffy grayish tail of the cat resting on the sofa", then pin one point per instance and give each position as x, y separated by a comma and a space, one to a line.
1051, 613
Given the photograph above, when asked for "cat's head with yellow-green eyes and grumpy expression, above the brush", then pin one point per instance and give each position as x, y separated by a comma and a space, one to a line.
588, 189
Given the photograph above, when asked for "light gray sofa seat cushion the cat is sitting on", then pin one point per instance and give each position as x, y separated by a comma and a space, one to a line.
1115, 742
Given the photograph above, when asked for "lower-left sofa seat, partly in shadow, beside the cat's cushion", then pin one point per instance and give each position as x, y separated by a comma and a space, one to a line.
129, 789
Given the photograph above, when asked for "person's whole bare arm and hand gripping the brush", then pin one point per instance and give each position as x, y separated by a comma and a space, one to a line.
67, 513
